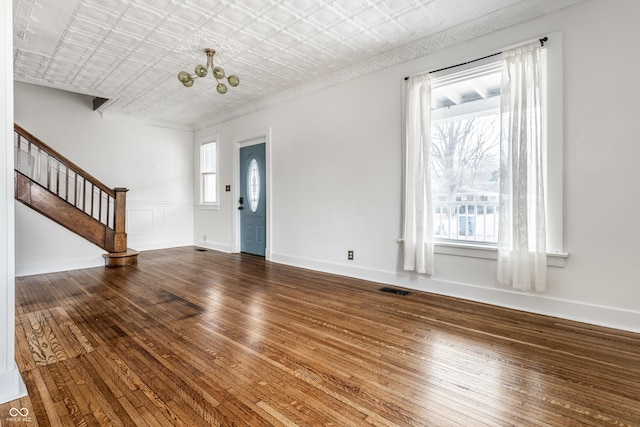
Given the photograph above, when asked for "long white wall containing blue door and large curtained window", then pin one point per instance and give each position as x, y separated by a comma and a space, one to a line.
336, 175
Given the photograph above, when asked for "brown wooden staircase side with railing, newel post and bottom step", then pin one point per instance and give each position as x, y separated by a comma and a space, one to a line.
52, 185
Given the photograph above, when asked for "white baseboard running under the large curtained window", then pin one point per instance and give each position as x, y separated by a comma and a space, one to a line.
610, 317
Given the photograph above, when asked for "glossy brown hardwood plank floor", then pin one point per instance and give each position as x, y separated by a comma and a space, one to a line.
206, 338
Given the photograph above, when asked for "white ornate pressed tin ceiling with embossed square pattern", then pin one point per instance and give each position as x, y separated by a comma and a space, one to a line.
130, 51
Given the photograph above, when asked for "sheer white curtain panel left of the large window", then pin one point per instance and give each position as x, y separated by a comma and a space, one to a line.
418, 206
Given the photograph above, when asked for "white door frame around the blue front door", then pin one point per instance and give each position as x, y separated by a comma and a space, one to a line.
258, 136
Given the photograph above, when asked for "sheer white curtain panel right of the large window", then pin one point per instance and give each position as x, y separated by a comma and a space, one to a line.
522, 252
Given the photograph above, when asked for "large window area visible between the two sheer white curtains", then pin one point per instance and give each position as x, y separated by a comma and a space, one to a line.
465, 152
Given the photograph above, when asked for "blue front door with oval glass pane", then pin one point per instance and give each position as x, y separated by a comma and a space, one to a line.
253, 200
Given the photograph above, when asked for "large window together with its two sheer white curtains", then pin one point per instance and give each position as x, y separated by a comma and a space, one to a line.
483, 162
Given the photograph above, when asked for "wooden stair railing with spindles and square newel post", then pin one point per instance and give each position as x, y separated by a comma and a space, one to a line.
60, 176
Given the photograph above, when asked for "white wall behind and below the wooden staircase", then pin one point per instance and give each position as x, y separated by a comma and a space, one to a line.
155, 164
